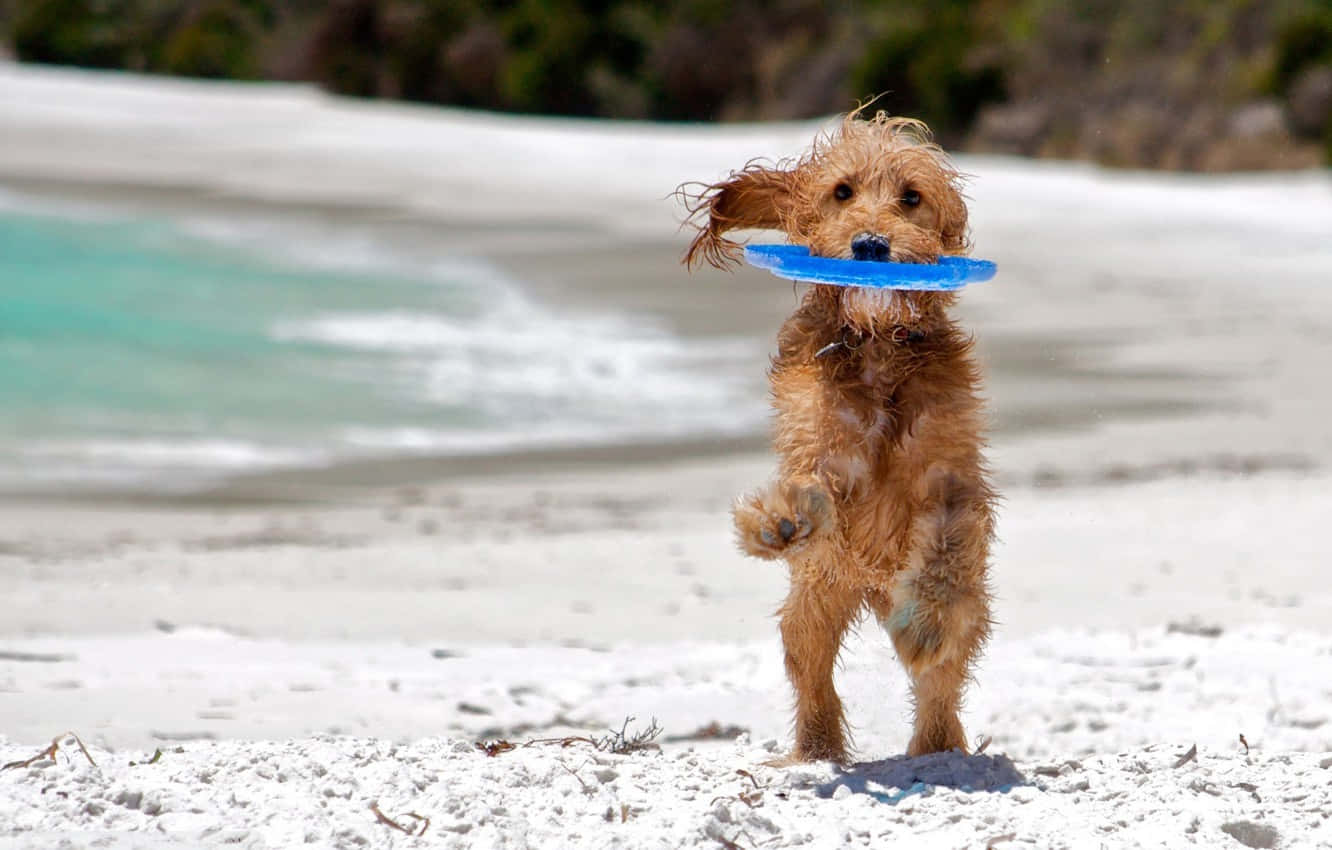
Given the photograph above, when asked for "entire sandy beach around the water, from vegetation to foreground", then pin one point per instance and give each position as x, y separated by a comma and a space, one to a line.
1154, 348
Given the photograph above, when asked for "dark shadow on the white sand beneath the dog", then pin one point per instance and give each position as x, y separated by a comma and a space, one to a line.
893, 780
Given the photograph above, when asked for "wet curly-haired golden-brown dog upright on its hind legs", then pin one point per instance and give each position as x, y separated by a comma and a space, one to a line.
882, 499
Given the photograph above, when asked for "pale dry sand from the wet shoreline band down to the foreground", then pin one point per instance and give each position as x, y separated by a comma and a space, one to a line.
394, 637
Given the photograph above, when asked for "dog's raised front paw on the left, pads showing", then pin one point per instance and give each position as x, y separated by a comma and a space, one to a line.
783, 519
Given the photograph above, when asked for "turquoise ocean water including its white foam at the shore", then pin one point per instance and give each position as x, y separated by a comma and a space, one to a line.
141, 351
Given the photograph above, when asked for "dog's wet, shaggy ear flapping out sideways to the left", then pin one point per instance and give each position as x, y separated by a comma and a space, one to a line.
753, 198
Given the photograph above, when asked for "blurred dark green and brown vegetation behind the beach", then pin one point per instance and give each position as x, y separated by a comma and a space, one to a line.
1134, 82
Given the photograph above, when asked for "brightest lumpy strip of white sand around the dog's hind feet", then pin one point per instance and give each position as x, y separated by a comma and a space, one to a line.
1093, 725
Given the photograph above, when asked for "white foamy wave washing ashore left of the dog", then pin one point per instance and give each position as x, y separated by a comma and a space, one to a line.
536, 379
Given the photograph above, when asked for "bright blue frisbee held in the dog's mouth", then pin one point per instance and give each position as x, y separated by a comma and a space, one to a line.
796, 263
